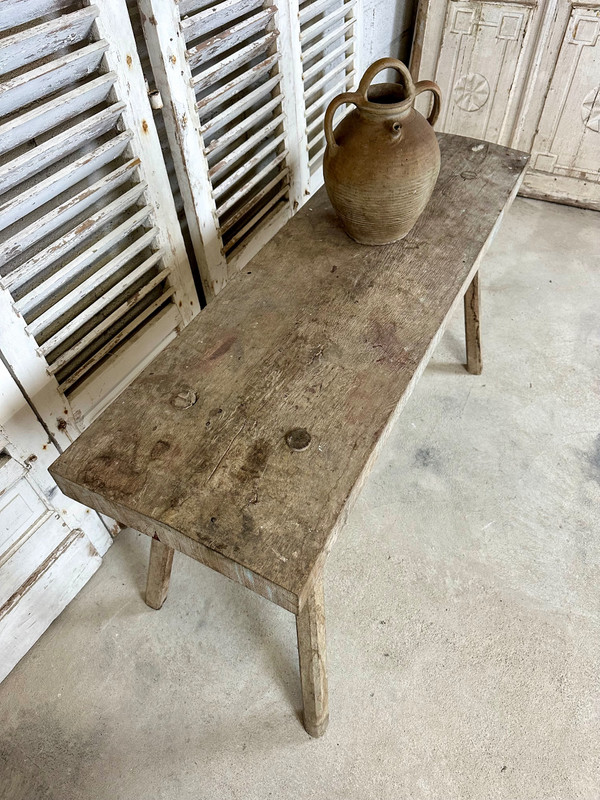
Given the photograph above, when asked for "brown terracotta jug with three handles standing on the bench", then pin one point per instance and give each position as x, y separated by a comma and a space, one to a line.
383, 159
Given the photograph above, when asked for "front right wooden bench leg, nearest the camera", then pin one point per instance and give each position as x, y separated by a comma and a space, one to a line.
310, 627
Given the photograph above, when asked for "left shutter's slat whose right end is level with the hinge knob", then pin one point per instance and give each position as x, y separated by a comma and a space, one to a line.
31, 162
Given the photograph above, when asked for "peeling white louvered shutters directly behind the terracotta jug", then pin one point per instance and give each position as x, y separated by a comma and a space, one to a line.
245, 84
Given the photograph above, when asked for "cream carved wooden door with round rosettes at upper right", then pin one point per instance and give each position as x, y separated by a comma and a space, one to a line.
525, 74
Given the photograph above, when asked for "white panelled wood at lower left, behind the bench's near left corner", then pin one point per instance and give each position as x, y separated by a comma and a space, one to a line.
38, 524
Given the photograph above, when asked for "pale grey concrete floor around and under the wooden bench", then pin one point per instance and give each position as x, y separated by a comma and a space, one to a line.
463, 599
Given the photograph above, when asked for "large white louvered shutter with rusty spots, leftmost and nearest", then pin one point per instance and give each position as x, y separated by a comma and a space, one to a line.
94, 277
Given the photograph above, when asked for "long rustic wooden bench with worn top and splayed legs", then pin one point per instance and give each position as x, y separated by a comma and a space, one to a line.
321, 337
